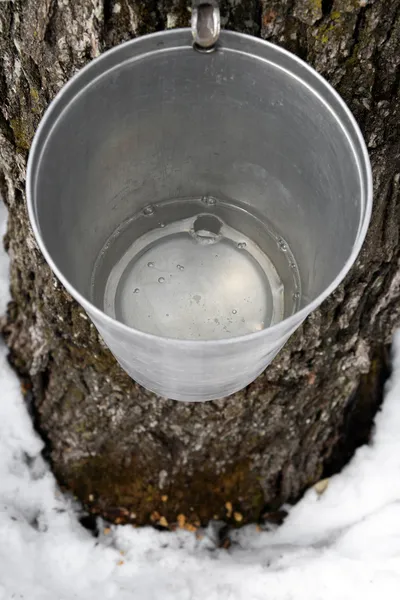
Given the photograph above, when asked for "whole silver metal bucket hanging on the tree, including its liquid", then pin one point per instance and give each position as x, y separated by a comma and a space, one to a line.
198, 205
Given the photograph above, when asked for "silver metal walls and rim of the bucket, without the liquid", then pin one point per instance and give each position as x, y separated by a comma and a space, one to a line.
153, 119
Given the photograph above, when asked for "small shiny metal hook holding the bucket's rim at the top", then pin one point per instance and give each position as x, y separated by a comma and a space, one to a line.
206, 24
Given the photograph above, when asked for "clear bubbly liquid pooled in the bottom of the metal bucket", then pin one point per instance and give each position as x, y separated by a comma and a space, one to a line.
197, 269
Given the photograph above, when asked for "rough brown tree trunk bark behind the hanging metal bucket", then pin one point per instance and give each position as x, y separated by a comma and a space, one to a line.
120, 449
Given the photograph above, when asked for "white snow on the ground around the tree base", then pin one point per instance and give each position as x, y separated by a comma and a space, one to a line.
344, 543
